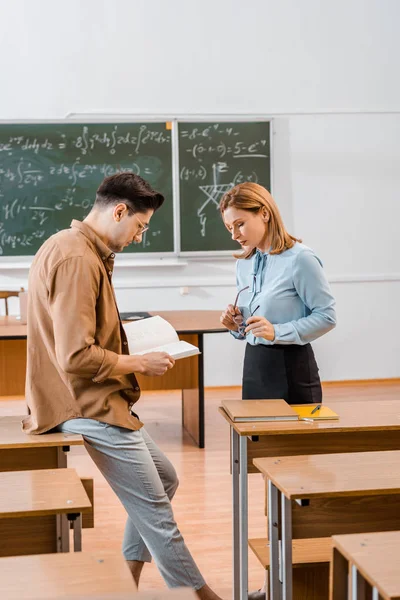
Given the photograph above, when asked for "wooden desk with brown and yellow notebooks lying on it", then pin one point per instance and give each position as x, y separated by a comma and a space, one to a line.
362, 427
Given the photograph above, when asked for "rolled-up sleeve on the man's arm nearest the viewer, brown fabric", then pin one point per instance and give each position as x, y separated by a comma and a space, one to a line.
74, 286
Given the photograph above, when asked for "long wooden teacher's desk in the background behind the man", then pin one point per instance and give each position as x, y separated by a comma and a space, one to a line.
187, 375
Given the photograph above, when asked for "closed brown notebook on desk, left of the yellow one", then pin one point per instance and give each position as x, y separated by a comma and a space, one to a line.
243, 411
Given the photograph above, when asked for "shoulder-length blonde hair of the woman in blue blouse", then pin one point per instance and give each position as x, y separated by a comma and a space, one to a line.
253, 197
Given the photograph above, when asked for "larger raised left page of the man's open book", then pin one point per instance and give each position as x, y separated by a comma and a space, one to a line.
147, 334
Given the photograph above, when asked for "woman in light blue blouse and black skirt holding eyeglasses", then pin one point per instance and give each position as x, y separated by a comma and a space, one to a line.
284, 301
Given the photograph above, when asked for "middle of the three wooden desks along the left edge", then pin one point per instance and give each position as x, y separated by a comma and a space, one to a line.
27, 495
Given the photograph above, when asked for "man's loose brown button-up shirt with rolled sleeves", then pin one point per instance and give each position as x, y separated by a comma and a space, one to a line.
75, 336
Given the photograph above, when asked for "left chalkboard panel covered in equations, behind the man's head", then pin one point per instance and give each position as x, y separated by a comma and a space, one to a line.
49, 174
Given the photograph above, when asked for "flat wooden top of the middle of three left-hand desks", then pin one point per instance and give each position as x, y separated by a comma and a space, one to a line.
42, 492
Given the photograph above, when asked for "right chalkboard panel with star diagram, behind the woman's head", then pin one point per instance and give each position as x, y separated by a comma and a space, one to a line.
213, 157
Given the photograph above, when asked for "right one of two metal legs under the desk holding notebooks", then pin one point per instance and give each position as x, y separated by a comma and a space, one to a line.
244, 534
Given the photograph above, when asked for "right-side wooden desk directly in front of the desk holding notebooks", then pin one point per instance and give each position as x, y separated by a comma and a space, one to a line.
337, 479
